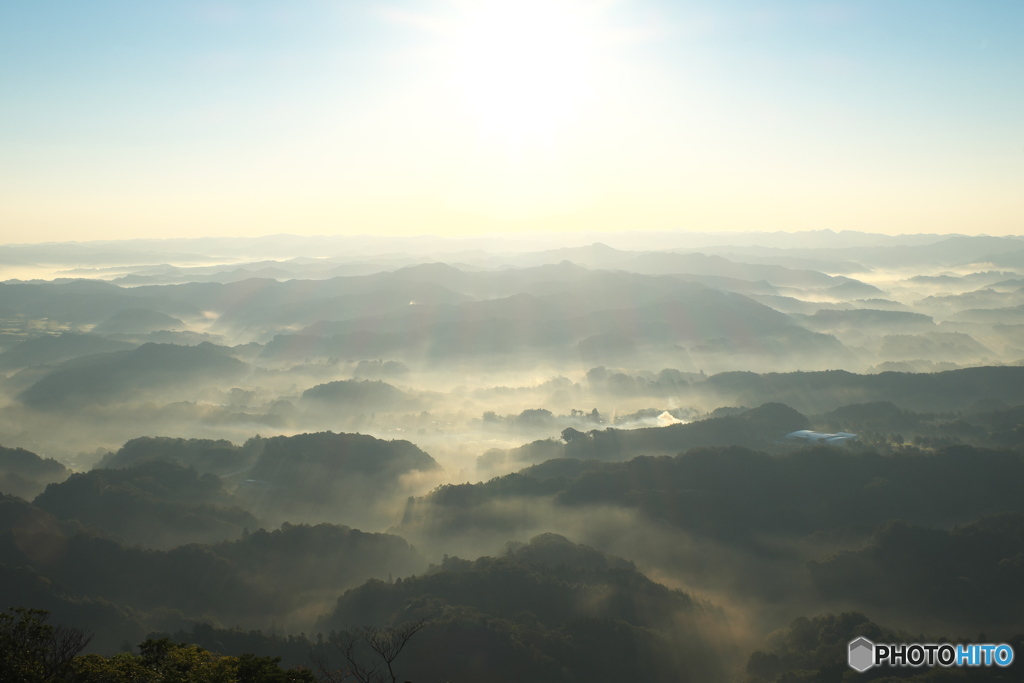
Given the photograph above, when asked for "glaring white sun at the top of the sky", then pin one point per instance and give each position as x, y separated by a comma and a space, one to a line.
524, 69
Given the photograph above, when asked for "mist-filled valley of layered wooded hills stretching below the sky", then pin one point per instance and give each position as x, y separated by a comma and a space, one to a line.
642, 457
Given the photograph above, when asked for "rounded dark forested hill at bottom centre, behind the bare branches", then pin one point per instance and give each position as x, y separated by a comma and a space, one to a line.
550, 611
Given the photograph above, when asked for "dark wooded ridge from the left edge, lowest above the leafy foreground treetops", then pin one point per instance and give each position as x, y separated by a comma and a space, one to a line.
250, 581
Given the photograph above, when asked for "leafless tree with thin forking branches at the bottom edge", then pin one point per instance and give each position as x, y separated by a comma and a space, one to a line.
369, 653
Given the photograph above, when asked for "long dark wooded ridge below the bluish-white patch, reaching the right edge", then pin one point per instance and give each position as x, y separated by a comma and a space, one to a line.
735, 494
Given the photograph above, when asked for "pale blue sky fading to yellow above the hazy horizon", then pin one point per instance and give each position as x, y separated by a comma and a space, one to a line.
123, 119
